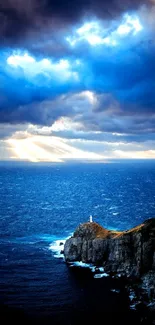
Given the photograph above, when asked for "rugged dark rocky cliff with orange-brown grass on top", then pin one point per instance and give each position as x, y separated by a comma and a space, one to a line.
131, 252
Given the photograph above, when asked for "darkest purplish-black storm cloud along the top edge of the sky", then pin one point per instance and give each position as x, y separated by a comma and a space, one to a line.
19, 17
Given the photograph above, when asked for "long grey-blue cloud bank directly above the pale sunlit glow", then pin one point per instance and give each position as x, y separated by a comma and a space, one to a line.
88, 124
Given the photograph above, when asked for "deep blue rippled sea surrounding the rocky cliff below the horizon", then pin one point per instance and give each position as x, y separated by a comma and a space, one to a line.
41, 204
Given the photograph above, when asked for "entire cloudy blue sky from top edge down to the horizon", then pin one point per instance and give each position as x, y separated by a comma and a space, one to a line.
77, 80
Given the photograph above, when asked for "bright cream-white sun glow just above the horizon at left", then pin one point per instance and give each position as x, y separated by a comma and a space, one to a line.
45, 148
